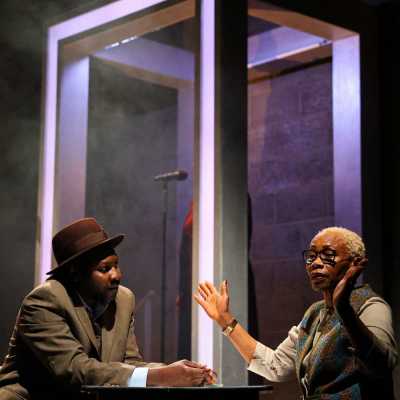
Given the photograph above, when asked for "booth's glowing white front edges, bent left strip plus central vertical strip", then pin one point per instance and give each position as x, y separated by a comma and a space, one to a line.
85, 22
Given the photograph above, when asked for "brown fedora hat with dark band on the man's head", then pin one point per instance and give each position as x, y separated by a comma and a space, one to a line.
78, 238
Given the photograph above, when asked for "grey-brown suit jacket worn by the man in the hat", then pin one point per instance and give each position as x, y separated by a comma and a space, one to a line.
53, 347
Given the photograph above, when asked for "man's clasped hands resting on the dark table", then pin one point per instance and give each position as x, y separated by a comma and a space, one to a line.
181, 373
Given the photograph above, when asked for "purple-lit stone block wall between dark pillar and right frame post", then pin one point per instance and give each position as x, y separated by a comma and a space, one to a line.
290, 180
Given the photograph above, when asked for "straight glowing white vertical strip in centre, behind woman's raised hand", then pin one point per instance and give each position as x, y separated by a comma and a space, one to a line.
206, 197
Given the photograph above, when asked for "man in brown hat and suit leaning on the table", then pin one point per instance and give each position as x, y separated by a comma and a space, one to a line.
77, 328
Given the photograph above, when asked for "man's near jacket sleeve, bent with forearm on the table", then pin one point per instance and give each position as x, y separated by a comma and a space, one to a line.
43, 327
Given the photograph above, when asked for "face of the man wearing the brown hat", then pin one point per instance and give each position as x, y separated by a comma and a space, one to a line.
100, 284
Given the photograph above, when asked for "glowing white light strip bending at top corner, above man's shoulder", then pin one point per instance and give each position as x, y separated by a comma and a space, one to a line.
73, 26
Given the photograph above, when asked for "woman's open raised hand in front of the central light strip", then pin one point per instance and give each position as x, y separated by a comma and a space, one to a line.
215, 303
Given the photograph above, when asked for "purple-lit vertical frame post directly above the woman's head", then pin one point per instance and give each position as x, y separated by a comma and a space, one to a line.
347, 132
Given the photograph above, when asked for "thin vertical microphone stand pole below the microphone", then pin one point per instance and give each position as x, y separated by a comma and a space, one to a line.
164, 268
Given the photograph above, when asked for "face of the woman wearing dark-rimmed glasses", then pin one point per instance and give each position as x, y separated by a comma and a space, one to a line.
331, 262
